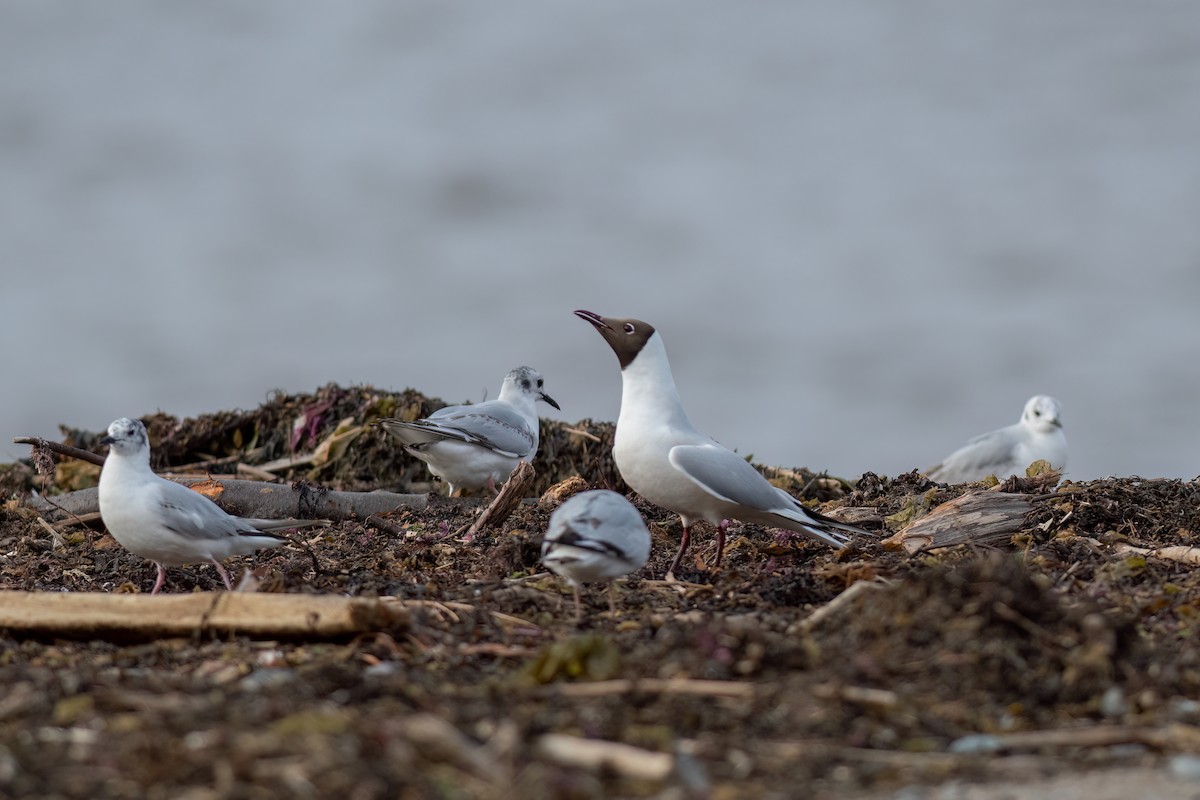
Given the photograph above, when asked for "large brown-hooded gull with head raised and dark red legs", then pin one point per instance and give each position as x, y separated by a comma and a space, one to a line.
671, 464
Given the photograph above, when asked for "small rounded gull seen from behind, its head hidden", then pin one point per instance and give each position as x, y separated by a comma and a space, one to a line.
596, 536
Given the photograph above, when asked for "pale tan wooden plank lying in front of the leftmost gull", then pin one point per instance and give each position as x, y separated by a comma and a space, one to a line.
128, 617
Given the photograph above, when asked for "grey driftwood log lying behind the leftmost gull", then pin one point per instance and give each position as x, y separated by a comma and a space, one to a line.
260, 500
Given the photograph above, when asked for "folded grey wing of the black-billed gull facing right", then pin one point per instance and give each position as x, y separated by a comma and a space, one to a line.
494, 425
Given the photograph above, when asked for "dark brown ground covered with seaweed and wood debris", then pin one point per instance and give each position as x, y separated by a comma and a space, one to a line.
1055, 664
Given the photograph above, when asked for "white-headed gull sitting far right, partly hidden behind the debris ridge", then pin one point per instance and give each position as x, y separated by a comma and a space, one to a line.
1011, 450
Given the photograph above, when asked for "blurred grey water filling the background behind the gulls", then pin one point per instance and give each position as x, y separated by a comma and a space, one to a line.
867, 231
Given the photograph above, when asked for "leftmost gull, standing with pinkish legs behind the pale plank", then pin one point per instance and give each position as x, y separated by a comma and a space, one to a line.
170, 524
